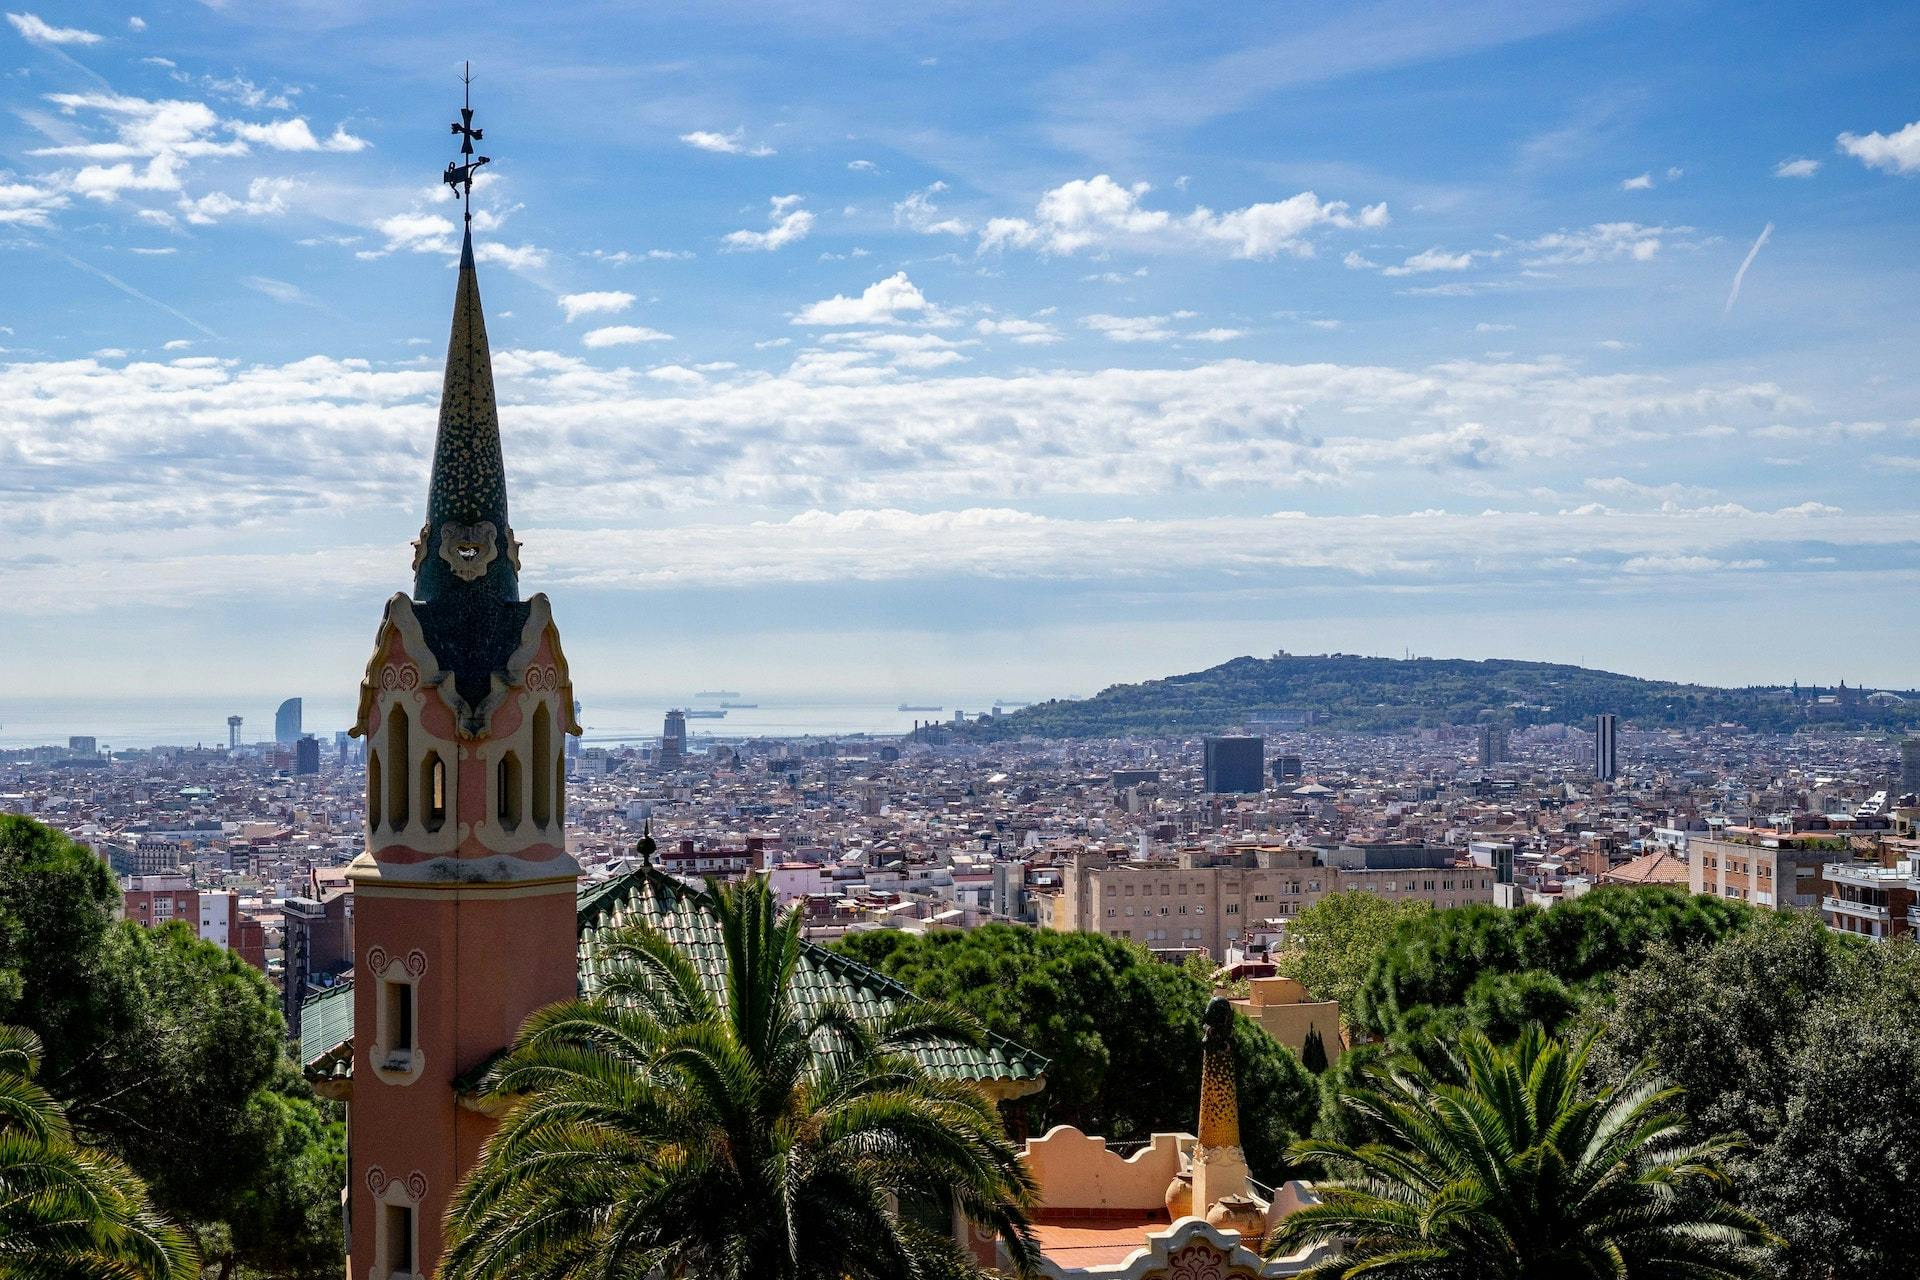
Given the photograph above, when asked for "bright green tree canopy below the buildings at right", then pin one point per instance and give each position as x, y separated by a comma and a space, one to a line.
1499, 970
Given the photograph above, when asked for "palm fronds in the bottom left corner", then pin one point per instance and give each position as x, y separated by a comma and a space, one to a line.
64, 1210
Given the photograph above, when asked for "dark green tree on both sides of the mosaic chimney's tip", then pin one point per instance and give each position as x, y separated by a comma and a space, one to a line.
1118, 1028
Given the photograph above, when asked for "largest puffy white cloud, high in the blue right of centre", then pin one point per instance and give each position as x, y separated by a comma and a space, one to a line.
1099, 214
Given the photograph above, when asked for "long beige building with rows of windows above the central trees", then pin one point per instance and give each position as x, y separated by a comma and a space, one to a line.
1205, 901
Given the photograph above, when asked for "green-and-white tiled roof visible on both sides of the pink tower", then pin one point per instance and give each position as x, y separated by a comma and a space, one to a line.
686, 918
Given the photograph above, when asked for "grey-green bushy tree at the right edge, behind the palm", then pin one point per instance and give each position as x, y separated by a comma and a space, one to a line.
1804, 1041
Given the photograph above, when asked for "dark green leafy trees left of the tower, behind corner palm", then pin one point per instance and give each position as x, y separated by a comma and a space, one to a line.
170, 1055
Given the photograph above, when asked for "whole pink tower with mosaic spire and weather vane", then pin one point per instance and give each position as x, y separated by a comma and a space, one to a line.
464, 901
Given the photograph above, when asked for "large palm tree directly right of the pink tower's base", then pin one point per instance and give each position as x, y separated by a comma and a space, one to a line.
658, 1127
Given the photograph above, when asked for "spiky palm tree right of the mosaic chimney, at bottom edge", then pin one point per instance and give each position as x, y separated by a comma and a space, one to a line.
1516, 1172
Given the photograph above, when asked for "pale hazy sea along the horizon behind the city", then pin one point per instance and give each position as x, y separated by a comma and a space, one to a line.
203, 721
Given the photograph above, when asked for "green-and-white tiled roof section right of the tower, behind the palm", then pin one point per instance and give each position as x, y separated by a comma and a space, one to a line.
823, 978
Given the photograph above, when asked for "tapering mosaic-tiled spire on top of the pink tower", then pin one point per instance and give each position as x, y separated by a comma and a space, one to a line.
468, 544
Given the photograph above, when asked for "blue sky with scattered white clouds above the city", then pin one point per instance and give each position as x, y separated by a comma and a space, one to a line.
1001, 350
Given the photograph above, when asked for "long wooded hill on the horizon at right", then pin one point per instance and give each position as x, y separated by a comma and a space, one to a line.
1381, 696
